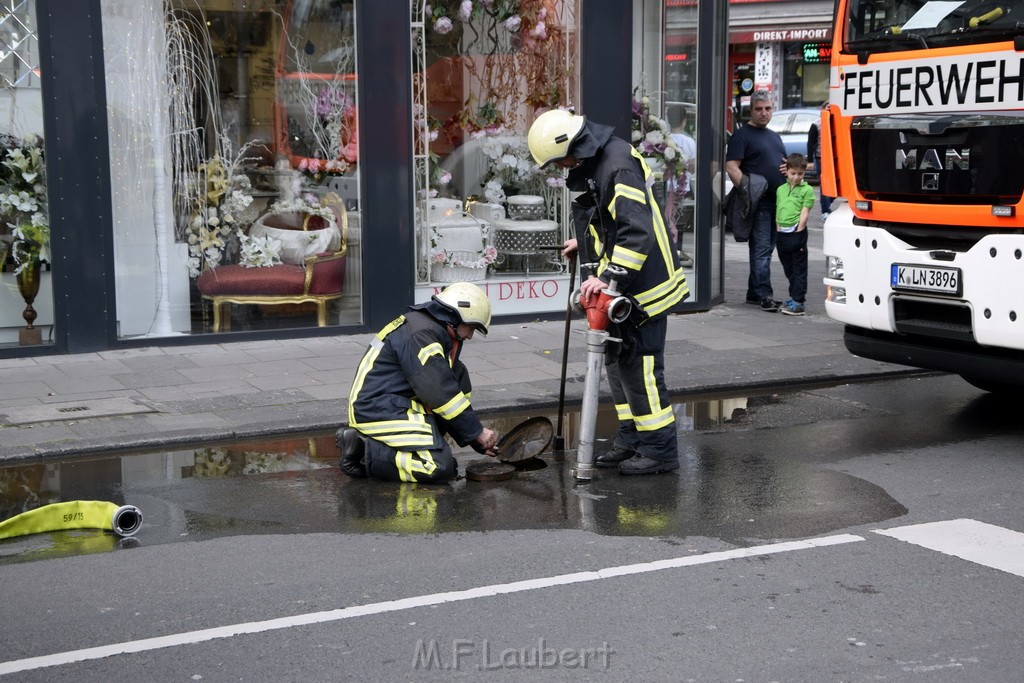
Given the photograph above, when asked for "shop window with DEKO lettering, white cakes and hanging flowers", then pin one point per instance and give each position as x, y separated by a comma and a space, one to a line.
485, 214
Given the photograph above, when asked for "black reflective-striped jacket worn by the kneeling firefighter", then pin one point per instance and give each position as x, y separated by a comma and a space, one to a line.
412, 368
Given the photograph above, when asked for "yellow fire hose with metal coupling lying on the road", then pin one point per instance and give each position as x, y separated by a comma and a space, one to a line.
124, 521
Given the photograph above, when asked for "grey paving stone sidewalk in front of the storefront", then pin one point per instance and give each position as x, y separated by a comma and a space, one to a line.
152, 398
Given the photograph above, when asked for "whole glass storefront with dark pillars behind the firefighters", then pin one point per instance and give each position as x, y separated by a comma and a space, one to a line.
212, 182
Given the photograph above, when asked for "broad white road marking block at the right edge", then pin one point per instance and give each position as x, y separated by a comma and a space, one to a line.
970, 540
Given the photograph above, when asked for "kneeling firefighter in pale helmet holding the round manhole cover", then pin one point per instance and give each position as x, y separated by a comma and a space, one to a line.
411, 391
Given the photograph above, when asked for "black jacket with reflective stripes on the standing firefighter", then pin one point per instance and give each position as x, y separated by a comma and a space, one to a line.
619, 222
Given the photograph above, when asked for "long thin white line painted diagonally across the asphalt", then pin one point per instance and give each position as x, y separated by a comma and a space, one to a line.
409, 604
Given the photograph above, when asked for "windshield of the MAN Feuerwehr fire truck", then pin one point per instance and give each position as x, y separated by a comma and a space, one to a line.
887, 26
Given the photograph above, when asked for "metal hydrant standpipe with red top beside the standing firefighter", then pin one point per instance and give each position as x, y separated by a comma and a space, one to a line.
609, 307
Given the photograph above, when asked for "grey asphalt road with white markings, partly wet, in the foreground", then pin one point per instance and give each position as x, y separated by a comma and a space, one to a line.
781, 551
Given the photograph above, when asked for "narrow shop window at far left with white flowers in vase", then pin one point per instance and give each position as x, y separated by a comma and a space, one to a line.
26, 279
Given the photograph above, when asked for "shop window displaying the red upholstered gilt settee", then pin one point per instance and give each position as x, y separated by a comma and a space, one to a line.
235, 164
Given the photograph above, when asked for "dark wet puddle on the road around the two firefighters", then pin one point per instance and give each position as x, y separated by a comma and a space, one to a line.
293, 486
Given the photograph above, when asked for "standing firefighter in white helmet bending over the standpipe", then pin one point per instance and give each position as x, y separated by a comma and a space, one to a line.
622, 238
